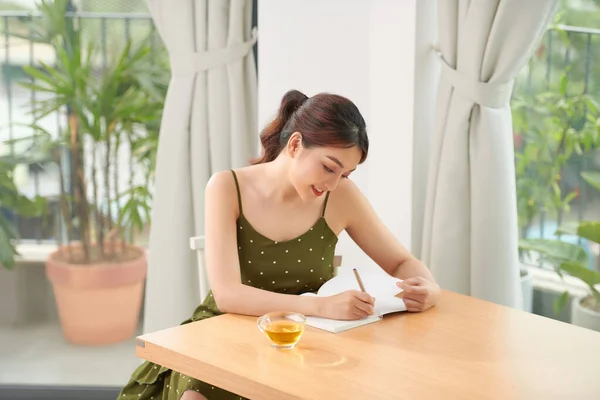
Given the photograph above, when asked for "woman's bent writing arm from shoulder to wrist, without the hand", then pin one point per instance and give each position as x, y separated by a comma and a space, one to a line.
222, 263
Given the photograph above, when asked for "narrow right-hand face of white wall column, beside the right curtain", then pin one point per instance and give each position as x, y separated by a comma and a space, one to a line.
391, 83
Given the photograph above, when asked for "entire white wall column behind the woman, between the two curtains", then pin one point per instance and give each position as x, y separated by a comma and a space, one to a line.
362, 49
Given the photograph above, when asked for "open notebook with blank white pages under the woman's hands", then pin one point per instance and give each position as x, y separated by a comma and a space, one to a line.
376, 282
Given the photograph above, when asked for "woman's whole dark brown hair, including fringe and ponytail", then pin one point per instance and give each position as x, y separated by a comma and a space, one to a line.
323, 120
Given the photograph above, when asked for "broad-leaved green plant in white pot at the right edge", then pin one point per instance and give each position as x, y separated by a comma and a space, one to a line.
573, 260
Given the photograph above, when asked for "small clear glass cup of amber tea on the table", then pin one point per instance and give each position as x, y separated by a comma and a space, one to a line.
283, 329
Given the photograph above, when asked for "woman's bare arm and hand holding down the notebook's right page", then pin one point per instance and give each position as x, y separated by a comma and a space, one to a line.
374, 238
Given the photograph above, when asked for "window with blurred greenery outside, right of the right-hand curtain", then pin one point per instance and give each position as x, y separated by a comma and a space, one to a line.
556, 136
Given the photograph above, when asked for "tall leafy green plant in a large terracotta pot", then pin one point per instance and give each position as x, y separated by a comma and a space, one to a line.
98, 272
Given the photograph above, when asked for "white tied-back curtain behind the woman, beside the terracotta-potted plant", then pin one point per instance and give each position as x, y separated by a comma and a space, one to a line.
209, 124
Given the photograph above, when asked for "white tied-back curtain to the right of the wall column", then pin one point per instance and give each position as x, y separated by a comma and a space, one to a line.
470, 233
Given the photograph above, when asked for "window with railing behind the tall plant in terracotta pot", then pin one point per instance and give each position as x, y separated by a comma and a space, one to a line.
31, 319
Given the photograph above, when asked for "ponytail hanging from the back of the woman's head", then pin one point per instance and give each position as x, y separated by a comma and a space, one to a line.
270, 137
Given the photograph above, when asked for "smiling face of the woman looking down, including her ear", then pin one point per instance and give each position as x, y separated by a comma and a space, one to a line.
316, 170
